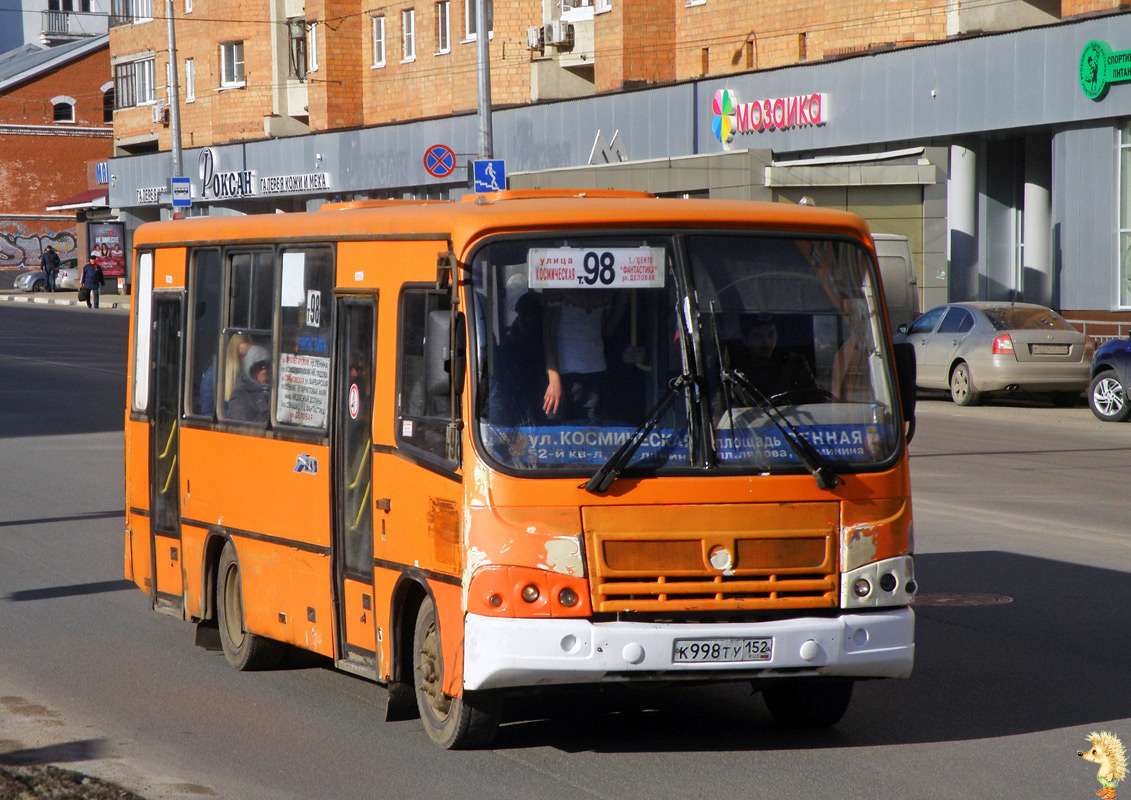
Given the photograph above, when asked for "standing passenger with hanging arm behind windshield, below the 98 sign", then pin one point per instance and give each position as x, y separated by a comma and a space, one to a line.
576, 324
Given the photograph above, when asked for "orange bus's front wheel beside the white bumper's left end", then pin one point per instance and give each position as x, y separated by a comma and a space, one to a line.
454, 724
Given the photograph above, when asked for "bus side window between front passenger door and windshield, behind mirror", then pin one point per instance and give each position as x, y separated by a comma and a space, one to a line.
424, 411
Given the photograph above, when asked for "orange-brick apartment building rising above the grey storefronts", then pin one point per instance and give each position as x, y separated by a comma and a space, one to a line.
330, 65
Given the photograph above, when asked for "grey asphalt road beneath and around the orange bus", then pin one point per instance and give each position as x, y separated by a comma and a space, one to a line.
1024, 565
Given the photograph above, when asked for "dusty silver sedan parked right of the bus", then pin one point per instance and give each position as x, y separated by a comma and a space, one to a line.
980, 348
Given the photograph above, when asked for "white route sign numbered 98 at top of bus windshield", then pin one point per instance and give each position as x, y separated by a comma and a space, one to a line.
597, 269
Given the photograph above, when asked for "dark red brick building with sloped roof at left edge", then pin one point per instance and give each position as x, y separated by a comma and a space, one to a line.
55, 118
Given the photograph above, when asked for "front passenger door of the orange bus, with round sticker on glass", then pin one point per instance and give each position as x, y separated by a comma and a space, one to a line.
353, 486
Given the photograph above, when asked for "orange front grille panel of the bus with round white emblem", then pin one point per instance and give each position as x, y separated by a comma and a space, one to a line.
713, 558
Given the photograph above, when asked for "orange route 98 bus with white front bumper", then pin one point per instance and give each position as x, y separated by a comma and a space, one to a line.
473, 449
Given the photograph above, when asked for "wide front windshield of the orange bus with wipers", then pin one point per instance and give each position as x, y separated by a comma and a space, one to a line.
736, 352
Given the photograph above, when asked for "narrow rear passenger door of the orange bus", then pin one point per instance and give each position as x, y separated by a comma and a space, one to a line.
165, 437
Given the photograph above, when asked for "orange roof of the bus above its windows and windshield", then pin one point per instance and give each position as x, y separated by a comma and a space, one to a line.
508, 212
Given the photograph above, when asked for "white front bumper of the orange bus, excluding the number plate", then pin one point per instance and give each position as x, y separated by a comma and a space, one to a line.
505, 652
